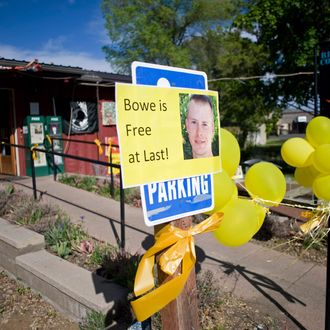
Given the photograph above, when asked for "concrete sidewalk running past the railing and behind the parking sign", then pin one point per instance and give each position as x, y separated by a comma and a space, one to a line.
281, 285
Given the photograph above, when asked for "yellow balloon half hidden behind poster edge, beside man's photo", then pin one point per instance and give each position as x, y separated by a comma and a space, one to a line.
230, 152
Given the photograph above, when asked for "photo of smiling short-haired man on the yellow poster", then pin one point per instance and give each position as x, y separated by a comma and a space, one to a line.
200, 136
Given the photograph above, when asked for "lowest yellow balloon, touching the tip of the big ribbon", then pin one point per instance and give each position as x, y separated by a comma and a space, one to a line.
238, 224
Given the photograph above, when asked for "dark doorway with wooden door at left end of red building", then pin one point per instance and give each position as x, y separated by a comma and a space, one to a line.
7, 154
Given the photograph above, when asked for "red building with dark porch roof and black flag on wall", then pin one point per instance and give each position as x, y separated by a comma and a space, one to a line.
81, 97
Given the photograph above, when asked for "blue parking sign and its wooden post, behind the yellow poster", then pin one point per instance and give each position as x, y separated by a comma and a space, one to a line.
182, 313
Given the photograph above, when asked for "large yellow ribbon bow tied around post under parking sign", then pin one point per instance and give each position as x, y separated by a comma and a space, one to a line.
181, 248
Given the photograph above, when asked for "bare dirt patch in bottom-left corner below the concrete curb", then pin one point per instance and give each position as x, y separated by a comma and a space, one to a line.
22, 309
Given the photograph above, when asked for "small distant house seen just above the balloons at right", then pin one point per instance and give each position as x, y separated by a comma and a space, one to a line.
293, 122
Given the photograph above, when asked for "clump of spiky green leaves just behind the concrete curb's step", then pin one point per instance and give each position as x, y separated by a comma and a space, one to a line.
63, 236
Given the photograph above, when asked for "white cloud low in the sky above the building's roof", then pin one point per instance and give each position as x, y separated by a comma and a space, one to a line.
50, 54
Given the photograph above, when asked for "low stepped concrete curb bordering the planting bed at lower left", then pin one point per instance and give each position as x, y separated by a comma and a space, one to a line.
71, 289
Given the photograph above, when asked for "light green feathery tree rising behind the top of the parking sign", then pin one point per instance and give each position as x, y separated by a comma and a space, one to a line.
158, 31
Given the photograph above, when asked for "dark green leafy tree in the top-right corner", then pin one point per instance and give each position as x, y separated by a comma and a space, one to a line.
289, 30
